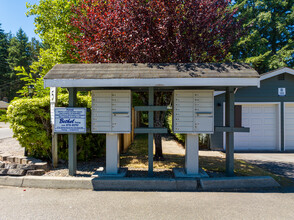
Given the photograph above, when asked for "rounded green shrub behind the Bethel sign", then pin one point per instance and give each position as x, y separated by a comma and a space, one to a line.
30, 122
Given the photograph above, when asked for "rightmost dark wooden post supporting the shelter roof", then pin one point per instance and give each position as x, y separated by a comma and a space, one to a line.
229, 122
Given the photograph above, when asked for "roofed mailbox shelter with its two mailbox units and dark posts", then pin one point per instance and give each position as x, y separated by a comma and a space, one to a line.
193, 86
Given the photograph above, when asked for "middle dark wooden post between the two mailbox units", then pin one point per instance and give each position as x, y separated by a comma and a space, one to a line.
150, 135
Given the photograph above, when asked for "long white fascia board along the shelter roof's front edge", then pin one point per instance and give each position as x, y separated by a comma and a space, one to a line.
152, 82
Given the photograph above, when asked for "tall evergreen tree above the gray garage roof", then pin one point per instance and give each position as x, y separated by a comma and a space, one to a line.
269, 43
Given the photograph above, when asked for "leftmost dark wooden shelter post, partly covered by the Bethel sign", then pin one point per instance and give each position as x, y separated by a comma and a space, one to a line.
72, 139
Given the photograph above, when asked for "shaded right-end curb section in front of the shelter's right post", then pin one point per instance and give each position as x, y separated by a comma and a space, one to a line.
238, 183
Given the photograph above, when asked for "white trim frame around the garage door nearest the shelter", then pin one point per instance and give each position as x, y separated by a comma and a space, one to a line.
260, 103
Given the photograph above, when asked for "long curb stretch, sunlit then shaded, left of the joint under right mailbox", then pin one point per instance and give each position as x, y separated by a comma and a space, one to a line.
136, 184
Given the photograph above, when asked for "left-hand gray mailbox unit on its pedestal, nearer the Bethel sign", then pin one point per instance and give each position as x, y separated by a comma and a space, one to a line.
111, 114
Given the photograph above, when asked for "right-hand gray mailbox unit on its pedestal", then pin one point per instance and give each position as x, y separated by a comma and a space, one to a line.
193, 114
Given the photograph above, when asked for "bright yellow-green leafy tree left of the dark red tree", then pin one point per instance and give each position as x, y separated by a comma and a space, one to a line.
52, 24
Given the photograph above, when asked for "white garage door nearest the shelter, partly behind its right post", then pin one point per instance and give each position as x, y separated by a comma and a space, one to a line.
263, 121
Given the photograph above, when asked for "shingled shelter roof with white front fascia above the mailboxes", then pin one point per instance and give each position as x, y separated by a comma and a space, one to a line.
150, 74
